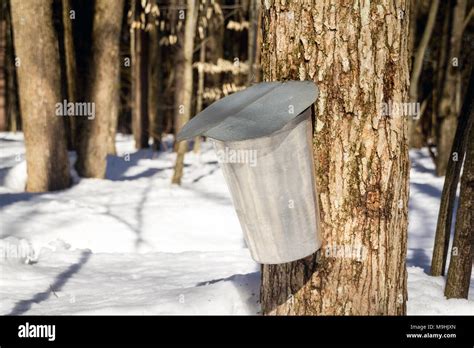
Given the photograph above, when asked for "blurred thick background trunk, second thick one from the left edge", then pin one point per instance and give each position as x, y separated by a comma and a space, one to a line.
103, 89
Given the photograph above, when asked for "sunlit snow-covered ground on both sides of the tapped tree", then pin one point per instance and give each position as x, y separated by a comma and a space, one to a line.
135, 244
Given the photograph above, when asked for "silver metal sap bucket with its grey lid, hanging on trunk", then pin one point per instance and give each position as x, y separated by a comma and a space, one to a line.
269, 169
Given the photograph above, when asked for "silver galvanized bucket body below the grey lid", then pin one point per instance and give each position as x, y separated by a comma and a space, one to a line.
274, 197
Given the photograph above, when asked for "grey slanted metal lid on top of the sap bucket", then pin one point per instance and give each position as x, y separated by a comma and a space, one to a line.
255, 112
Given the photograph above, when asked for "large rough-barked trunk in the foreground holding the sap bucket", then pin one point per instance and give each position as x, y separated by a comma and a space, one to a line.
357, 54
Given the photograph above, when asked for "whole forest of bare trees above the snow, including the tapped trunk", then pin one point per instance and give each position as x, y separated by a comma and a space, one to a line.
74, 74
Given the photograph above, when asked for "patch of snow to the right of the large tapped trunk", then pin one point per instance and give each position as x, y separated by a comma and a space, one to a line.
426, 293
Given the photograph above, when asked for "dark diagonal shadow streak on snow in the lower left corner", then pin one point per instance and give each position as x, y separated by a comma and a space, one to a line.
61, 279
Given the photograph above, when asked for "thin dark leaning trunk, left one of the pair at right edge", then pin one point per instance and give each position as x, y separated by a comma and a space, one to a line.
448, 196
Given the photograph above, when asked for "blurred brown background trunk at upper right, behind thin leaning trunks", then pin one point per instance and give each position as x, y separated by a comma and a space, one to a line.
449, 105
